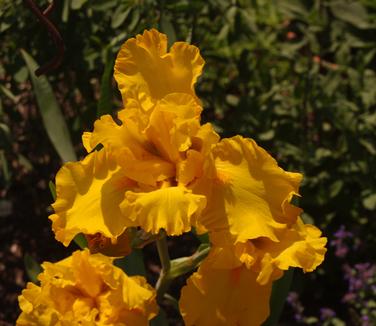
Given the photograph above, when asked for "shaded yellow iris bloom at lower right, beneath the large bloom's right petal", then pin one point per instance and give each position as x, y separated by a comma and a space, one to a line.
233, 285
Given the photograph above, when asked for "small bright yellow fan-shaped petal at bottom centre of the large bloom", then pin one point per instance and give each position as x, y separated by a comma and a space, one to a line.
171, 209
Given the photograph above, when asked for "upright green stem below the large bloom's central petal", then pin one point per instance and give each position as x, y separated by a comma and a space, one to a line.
164, 279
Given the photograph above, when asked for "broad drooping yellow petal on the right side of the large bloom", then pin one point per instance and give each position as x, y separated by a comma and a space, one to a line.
250, 194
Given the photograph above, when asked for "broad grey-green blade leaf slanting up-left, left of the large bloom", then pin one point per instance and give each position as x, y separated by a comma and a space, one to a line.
52, 117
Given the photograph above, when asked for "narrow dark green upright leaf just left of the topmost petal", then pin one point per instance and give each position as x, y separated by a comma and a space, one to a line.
105, 99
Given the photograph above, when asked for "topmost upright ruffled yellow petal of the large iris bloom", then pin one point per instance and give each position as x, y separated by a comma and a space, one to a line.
144, 66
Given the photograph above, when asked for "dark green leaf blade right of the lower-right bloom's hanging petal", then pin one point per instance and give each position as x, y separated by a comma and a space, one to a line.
280, 290
